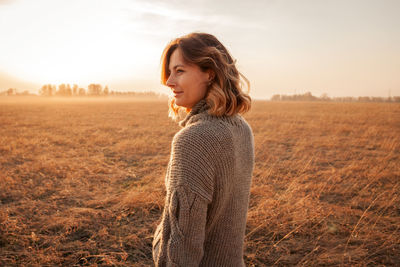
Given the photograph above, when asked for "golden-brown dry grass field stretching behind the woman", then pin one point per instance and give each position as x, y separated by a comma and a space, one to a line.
81, 182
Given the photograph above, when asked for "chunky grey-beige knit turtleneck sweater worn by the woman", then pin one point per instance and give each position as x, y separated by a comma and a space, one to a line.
208, 187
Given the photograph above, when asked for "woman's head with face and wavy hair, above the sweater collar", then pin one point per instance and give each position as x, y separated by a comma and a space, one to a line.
199, 66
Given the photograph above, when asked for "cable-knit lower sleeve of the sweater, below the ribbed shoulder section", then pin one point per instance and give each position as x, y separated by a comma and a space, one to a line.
179, 238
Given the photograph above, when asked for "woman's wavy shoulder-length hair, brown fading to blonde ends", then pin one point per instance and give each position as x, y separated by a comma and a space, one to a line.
225, 94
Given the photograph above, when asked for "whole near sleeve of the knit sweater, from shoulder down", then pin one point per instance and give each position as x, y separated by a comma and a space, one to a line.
179, 239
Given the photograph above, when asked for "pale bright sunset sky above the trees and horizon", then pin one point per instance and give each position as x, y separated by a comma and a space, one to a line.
336, 47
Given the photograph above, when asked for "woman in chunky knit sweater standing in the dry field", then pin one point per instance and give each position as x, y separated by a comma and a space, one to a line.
209, 173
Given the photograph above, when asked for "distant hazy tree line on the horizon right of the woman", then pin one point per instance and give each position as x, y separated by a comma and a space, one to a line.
324, 97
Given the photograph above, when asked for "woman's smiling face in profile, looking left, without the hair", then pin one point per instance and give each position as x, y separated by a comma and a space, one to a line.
187, 81
